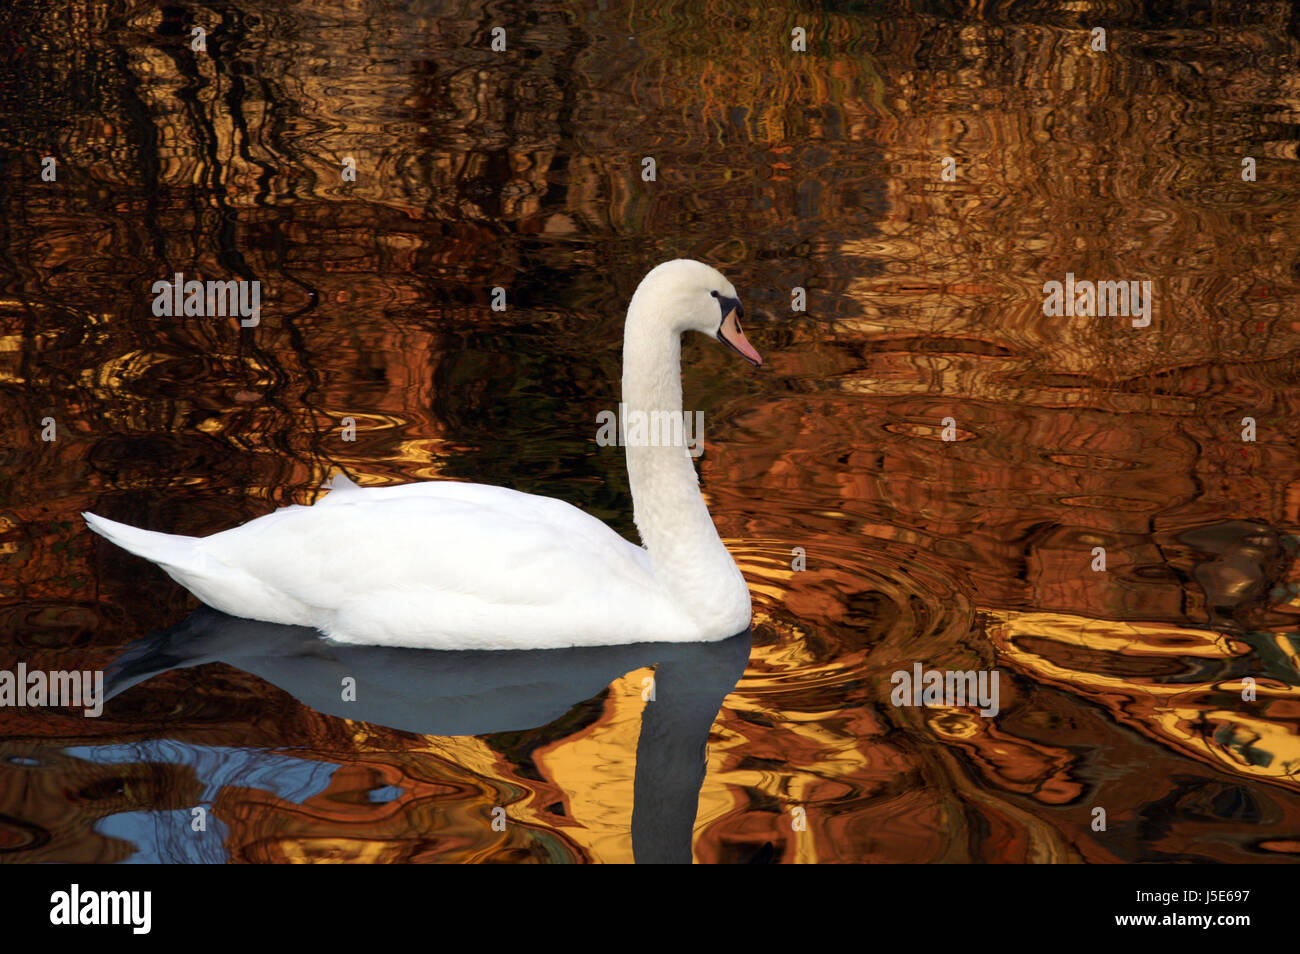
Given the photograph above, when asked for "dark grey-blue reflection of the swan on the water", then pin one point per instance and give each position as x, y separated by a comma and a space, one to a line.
474, 693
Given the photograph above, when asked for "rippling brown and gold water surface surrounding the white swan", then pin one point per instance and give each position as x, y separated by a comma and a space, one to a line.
522, 170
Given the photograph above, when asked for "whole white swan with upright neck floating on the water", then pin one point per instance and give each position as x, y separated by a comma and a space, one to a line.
444, 565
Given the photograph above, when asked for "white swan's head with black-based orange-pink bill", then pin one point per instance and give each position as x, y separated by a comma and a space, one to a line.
695, 297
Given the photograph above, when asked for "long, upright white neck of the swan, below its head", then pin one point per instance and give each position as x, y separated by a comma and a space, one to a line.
688, 556
